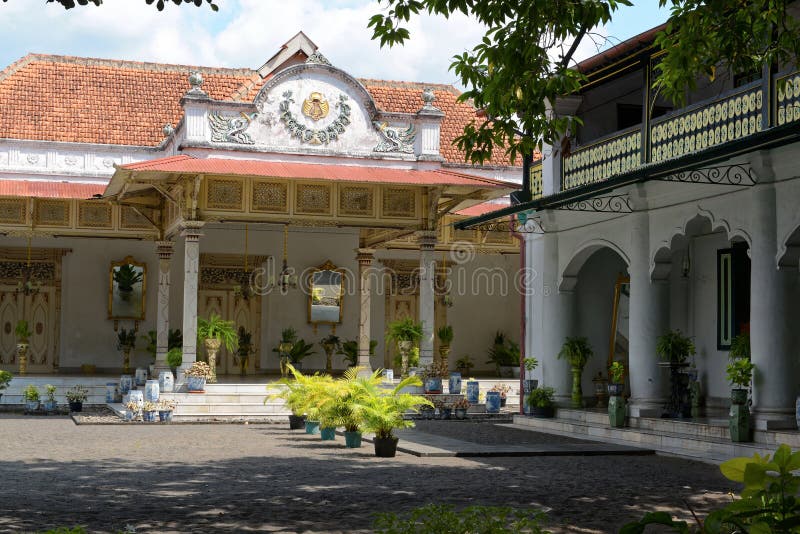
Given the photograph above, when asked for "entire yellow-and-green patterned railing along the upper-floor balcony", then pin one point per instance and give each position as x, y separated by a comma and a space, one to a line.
733, 116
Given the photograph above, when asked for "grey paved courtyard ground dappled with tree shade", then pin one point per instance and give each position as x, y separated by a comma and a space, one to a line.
265, 478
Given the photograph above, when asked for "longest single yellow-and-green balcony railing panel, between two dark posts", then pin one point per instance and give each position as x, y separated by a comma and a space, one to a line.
708, 124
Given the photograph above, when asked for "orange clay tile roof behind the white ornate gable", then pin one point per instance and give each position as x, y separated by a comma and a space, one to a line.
85, 100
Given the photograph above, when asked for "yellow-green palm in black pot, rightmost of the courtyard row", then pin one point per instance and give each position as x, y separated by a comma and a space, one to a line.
383, 411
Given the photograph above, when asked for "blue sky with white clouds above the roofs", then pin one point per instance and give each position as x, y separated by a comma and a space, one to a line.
244, 33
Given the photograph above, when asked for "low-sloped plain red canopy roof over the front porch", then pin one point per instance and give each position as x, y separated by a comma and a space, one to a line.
345, 173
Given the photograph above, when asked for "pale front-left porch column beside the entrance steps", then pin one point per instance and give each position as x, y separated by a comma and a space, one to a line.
191, 267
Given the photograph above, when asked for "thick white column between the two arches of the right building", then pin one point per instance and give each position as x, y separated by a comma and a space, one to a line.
649, 318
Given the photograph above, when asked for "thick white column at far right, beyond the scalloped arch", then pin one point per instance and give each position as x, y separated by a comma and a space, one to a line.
774, 387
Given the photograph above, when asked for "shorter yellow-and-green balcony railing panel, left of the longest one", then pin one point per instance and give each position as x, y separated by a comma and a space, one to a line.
603, 159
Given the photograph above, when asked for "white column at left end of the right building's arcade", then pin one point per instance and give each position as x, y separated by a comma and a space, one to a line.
557, 320
